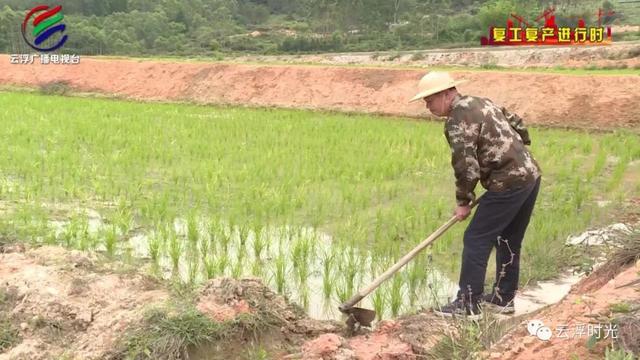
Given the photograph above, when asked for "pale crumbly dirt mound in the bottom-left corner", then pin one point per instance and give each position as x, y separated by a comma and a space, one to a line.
63, 305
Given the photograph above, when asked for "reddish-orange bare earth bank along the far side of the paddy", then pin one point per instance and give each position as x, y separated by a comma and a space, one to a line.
546, 99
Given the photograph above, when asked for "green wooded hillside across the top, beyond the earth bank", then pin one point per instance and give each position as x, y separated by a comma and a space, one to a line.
216, 28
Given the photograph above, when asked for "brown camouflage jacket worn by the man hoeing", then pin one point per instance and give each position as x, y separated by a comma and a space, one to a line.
487, 144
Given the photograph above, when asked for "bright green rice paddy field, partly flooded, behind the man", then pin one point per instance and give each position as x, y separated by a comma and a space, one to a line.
316, 204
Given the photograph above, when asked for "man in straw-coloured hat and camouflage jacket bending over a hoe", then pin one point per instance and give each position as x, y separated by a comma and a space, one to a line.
487, 144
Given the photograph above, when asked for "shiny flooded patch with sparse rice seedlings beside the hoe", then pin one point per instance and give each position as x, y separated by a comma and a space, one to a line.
303, 264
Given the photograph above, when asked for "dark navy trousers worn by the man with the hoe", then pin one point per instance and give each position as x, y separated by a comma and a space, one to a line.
500, 221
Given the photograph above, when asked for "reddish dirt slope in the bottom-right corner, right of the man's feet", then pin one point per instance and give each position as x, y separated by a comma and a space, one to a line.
575, 319
